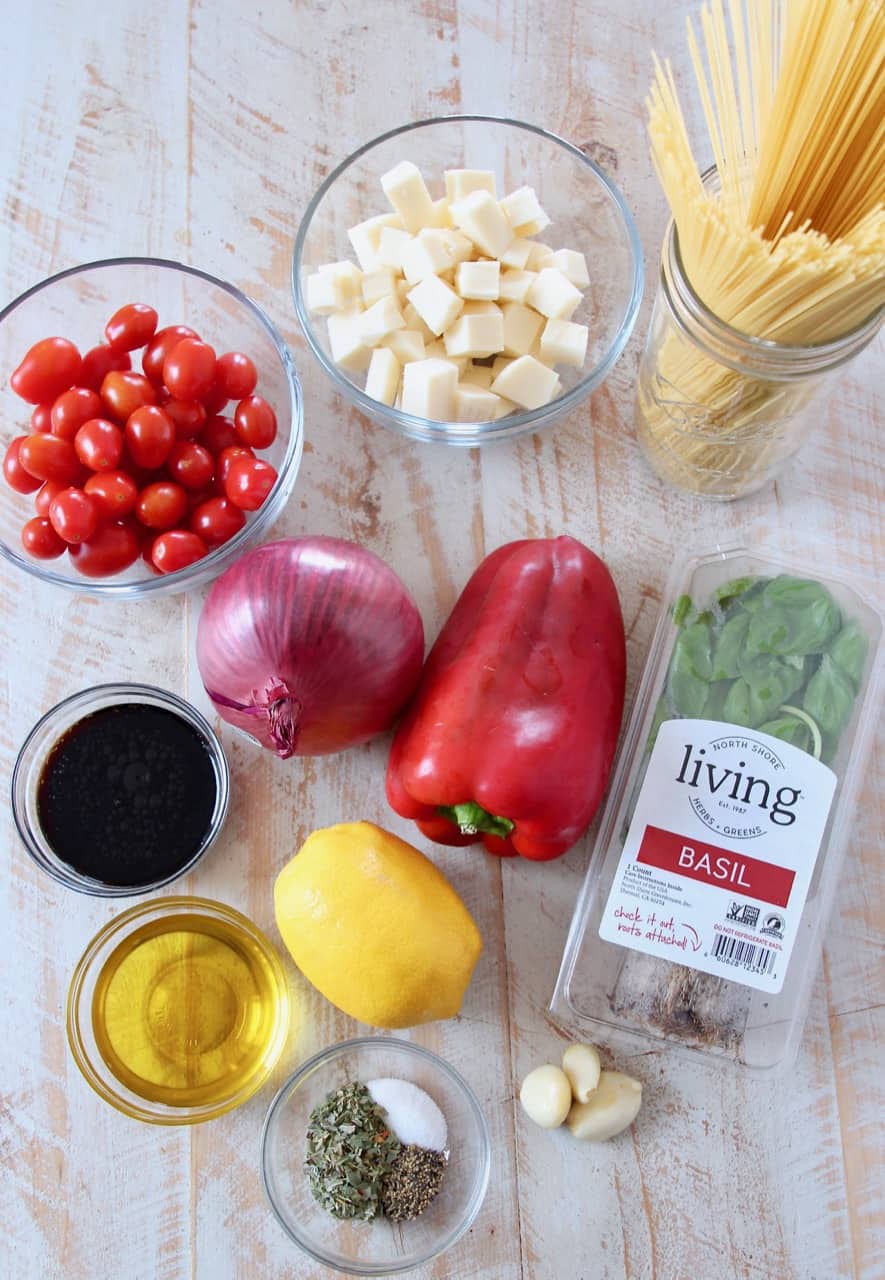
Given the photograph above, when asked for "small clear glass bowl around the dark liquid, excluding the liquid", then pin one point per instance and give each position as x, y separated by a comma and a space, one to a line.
42, 740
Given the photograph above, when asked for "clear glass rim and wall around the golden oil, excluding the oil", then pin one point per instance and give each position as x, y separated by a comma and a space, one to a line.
81, 1034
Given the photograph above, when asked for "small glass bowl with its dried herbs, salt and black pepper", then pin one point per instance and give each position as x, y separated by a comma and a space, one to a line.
376, 1156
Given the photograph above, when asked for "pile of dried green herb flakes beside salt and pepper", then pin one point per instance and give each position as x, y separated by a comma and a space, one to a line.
350, 1153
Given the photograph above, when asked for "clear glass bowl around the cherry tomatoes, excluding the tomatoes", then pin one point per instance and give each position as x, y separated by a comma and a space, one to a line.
76, 305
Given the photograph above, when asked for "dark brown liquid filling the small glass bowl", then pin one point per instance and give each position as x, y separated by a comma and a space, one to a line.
127, 794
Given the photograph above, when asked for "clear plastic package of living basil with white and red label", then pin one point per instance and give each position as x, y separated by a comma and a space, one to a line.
701, 918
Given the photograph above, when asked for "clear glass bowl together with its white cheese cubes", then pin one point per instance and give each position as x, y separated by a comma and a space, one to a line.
468, 278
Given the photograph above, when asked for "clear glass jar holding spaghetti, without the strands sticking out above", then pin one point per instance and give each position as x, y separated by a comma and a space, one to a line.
718, 412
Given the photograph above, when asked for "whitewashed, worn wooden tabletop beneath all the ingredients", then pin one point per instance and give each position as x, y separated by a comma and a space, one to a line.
199, 131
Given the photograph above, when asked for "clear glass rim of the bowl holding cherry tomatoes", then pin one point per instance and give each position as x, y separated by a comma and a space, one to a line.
204, 570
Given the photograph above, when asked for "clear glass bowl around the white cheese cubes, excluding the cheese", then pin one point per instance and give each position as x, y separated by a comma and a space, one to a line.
589, 214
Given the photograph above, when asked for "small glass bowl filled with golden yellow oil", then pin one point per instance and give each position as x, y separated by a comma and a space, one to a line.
179, 1011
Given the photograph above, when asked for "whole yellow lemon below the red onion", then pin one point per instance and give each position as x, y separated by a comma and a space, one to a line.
376, 927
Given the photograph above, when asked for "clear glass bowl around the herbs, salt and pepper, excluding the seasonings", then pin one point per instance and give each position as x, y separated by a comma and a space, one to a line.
381, 1247
